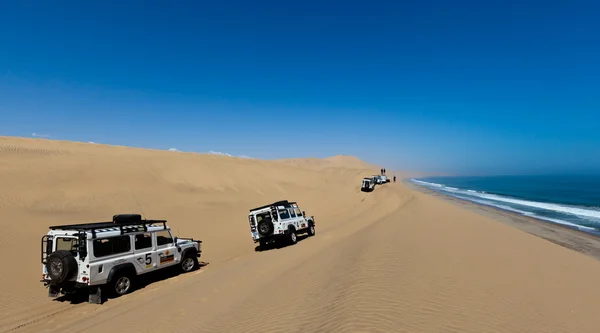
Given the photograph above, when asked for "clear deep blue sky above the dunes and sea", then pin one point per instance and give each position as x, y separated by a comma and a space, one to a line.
440, 86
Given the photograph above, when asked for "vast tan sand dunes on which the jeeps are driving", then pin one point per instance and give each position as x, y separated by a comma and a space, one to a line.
393, 260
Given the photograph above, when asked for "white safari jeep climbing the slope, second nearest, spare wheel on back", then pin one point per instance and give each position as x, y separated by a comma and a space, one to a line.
281, 220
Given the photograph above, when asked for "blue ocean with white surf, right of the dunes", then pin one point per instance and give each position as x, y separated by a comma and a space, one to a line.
572, 201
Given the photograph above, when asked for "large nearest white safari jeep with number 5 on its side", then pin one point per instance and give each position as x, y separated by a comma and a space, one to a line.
108, 256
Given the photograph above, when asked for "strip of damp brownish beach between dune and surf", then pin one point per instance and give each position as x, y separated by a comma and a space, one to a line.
563, 235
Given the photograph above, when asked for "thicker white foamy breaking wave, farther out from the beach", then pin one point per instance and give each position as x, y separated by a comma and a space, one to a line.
586, 213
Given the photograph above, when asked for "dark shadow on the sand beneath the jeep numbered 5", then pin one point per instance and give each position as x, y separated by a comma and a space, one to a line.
141, 282
